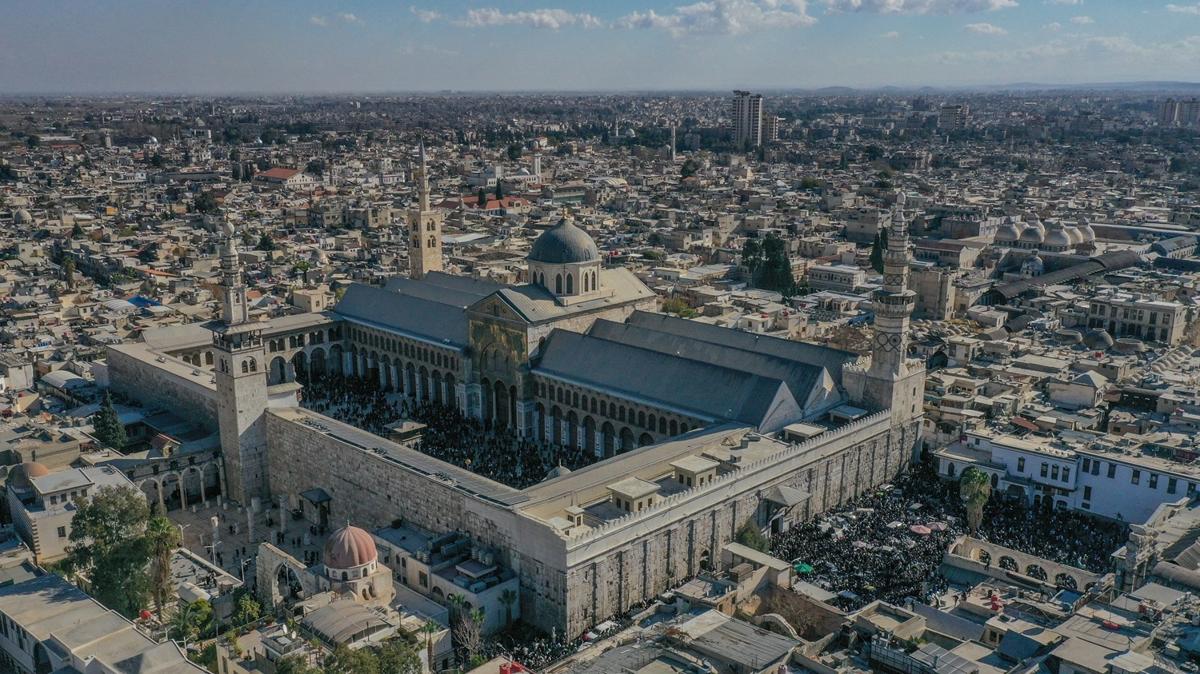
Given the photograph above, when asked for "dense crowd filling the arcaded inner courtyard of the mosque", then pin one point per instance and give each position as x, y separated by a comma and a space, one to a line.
449, 436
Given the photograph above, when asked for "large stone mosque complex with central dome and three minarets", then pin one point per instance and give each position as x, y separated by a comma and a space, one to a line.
697, 430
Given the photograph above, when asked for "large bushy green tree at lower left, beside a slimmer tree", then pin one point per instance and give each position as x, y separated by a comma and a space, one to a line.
109, 546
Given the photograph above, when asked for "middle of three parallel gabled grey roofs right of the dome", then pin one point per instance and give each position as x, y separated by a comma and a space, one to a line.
800, 377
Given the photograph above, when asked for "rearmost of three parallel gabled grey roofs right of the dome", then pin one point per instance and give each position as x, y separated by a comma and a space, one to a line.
800, 352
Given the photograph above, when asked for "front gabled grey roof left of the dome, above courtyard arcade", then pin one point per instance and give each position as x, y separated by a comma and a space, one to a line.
416, 317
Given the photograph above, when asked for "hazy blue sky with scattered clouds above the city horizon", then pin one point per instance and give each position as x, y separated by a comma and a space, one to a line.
241, 46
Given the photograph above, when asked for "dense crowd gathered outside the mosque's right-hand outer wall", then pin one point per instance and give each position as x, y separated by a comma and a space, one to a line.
889, 545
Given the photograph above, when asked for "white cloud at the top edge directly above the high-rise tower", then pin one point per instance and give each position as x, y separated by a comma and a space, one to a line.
728, 17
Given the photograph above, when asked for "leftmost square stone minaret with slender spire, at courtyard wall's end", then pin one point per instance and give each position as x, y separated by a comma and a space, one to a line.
242, 384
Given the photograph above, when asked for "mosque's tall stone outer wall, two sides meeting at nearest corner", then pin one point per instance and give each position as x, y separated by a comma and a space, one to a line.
573, 585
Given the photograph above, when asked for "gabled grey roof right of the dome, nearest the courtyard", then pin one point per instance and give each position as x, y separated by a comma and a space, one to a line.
695, 388
